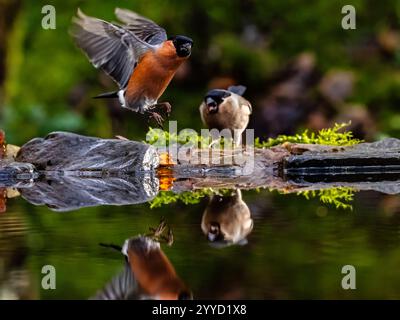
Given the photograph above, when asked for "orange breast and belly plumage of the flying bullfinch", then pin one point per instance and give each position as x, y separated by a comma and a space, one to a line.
154, 72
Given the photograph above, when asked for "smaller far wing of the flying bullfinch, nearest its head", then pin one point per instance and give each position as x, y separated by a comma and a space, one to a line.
143, 28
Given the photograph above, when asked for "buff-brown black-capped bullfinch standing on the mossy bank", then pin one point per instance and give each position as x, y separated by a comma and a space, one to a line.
226, 109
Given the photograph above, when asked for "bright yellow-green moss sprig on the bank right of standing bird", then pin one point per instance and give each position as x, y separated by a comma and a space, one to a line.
330, 136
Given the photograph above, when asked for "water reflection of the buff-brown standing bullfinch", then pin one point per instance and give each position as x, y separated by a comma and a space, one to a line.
227, 220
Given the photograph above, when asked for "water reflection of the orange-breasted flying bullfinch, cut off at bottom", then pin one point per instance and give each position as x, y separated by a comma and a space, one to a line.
148, 273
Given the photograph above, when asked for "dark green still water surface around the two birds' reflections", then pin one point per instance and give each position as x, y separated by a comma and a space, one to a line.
296, 249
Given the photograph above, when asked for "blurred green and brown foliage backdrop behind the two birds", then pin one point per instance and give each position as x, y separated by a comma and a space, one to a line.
301, 68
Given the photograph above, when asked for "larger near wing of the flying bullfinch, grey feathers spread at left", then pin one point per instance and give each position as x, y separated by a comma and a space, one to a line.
112, 48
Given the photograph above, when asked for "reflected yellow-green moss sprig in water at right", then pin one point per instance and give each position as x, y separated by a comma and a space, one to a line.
339, 197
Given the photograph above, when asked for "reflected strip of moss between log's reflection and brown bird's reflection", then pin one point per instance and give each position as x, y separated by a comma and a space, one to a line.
187, 197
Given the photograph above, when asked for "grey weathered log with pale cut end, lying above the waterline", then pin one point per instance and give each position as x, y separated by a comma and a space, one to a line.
72, 152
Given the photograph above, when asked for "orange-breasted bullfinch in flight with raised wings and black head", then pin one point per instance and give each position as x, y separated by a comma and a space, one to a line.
137, 55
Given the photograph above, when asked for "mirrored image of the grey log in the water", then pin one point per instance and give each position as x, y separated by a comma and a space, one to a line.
64, 192
